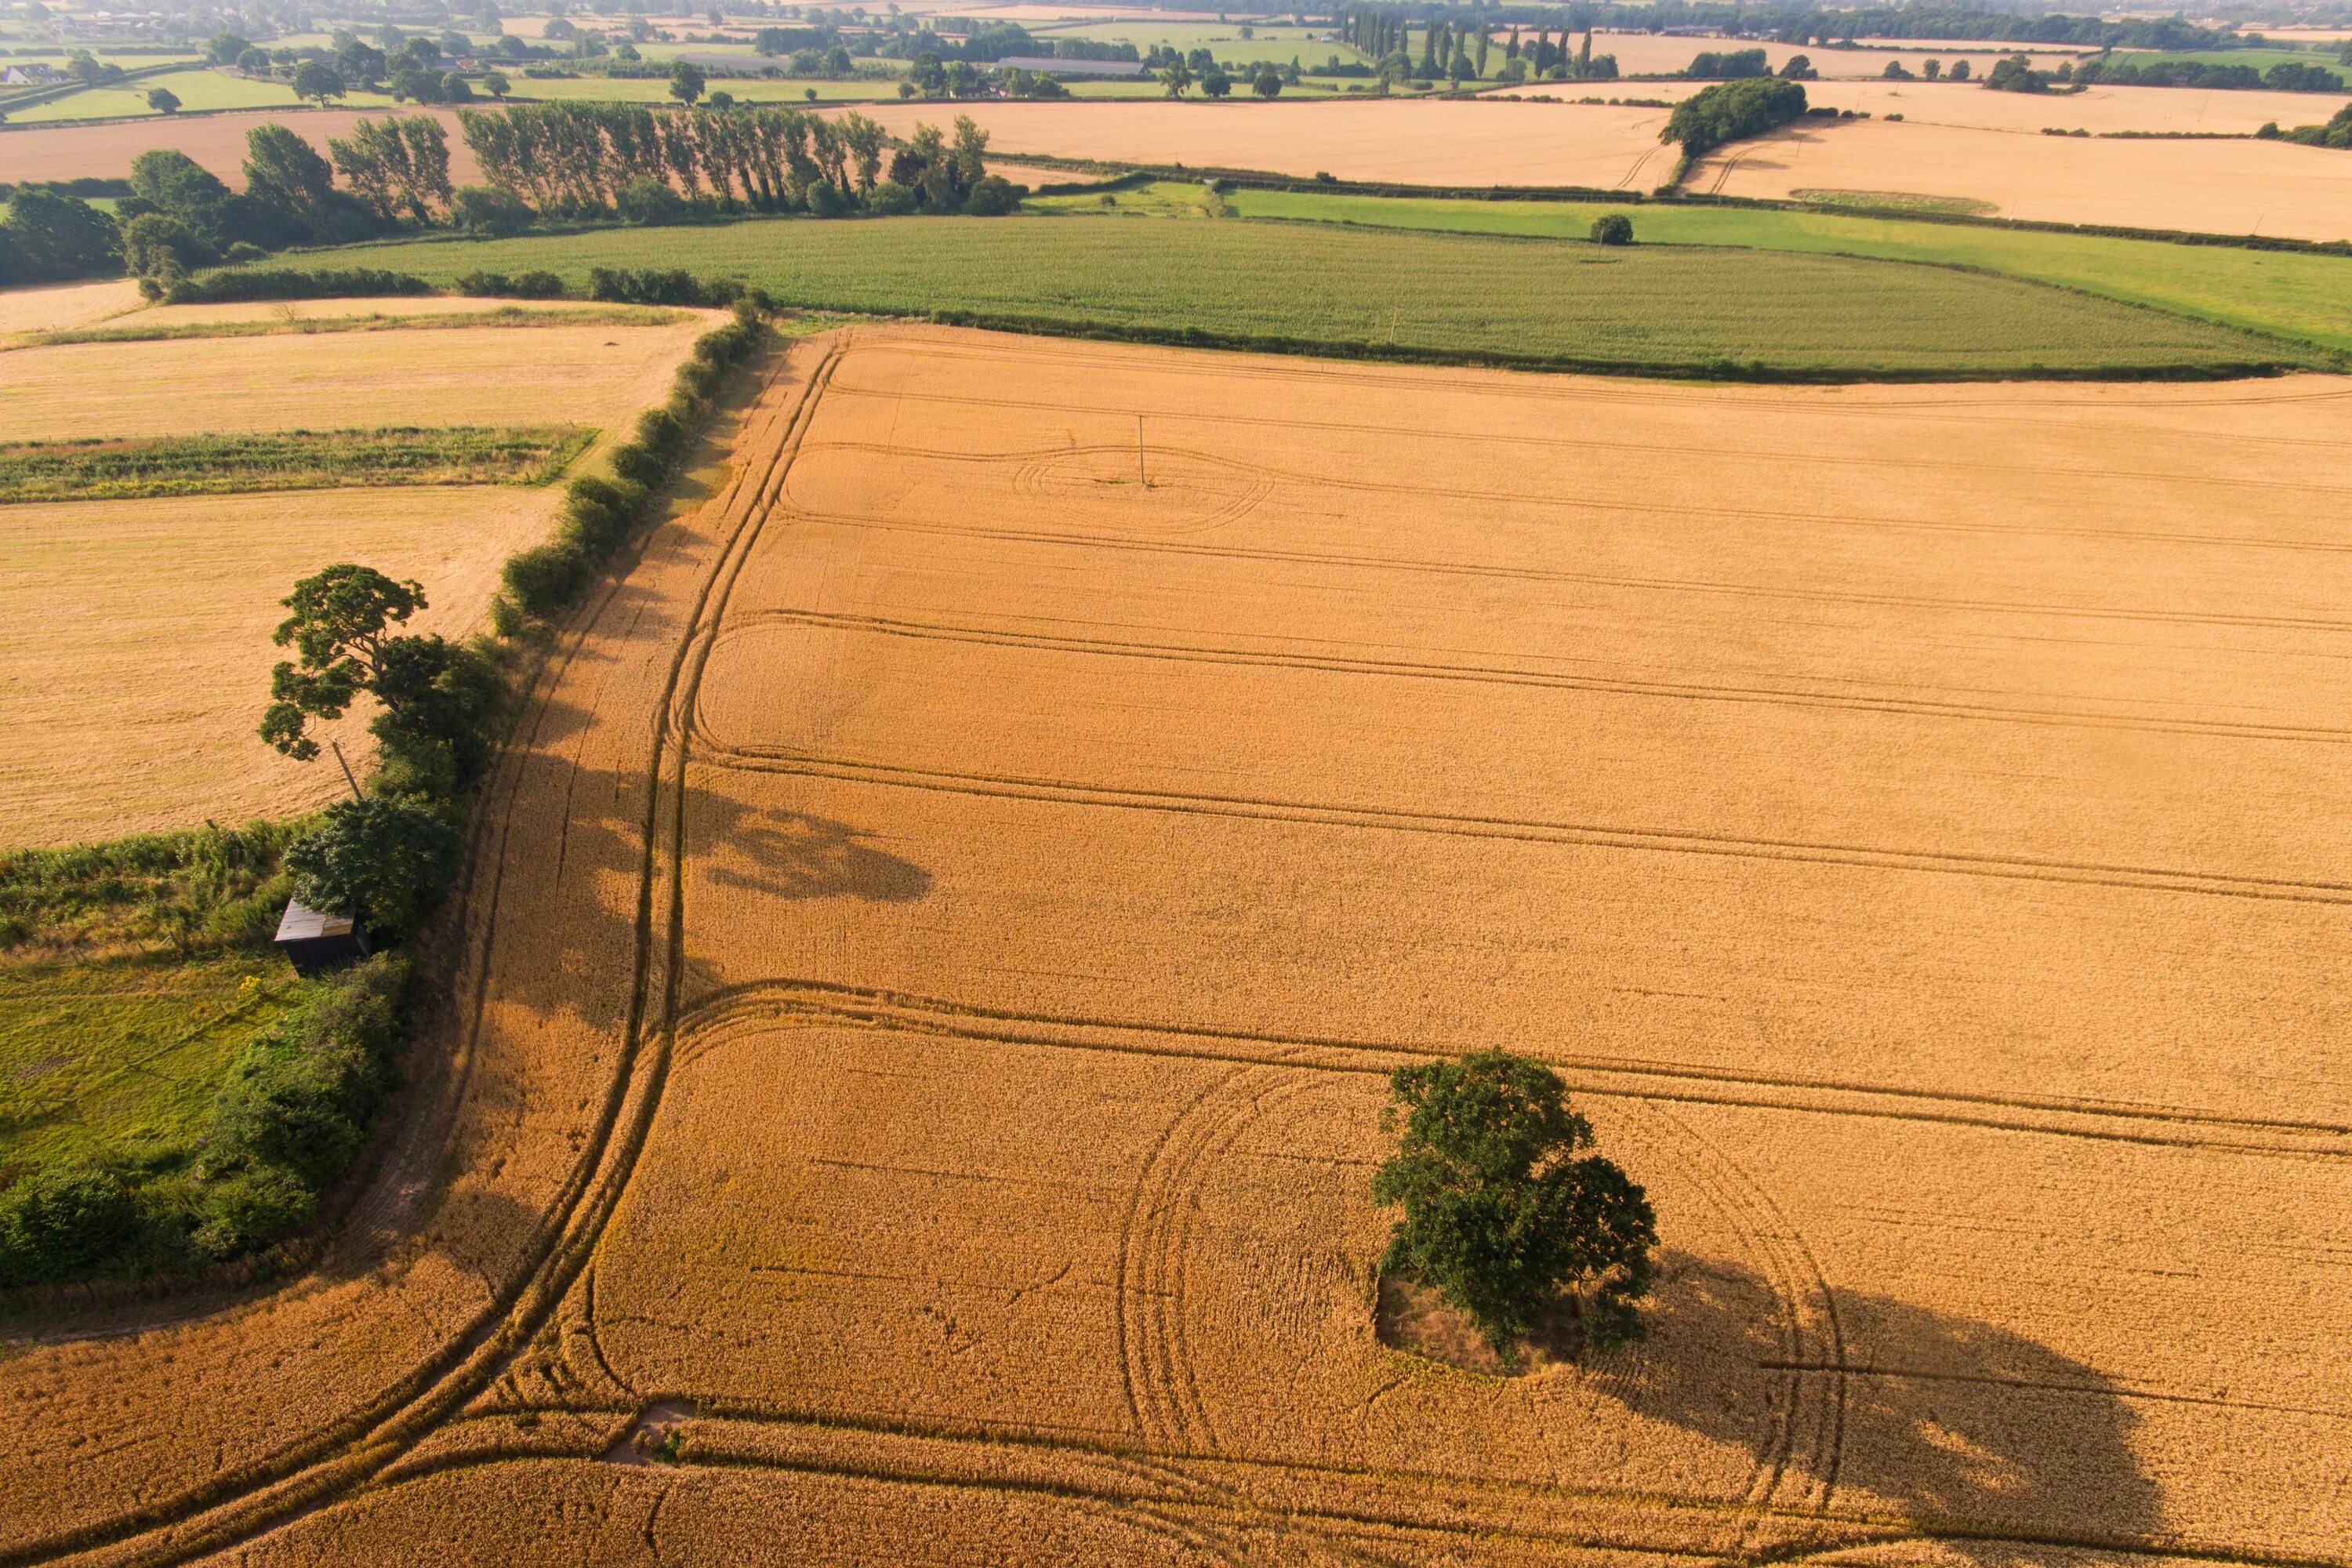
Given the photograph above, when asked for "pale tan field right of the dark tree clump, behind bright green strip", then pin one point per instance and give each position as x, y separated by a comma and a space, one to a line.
2203, 187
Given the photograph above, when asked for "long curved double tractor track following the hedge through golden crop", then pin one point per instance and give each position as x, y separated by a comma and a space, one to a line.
366, 1445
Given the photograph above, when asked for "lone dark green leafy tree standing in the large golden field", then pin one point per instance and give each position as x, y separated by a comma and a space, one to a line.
1506, 1212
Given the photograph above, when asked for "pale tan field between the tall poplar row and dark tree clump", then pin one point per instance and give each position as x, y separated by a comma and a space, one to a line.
1441, 145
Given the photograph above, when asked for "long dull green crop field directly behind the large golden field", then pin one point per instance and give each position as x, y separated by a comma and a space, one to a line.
1347, 290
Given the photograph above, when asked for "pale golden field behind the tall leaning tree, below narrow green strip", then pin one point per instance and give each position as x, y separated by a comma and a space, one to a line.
135, 643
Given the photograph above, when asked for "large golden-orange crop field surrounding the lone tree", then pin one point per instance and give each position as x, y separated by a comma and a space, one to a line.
935, 960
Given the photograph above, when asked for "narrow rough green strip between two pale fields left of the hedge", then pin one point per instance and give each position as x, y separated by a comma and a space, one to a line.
286, 460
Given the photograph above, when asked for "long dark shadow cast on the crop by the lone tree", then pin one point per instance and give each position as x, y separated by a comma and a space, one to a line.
1944, 1421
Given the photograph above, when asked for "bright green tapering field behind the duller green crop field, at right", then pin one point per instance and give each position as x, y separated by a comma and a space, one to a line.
2304, 297
